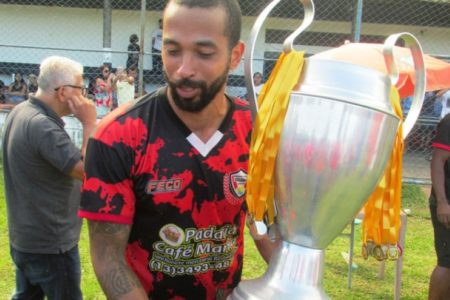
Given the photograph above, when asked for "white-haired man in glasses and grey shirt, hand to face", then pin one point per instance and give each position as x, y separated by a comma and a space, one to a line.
42, 171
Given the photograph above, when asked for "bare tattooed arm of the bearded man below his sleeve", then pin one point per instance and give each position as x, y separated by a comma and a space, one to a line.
108, 243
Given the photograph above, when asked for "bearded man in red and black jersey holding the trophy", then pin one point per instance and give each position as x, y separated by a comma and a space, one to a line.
165, 176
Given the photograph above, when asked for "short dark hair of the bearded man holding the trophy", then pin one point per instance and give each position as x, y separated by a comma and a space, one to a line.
233, 21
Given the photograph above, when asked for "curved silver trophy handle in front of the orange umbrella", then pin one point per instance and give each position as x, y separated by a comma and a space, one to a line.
419, 88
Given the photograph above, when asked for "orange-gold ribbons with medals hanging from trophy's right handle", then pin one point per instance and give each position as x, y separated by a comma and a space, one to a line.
382, 221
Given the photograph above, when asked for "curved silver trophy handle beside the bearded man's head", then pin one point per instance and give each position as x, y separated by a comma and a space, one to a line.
287, 46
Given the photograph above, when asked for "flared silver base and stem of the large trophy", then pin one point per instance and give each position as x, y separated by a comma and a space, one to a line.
294, 272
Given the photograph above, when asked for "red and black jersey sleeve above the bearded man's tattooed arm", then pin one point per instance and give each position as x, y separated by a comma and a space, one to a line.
107, 190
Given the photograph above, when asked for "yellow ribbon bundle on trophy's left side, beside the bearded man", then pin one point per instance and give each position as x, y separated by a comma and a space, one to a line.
273, 102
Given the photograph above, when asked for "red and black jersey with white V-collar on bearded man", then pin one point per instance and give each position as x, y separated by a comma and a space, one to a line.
184, 198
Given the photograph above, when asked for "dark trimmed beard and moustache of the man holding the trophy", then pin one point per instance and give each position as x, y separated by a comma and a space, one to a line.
206, 96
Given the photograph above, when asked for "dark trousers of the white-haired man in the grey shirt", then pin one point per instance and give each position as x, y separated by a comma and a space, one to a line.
56, 276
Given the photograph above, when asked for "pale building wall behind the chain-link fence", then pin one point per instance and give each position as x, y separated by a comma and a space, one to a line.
78, 33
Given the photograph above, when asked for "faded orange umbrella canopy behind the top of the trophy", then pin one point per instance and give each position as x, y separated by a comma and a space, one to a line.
371, 55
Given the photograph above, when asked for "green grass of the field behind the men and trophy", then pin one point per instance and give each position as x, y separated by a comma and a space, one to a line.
419, 260
